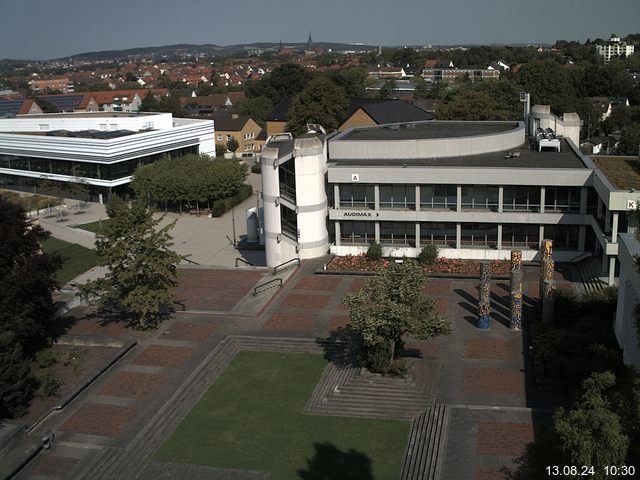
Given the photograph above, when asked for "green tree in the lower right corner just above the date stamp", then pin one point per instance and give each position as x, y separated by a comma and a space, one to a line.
591, 434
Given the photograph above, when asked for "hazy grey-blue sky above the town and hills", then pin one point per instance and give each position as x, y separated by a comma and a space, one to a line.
31, 29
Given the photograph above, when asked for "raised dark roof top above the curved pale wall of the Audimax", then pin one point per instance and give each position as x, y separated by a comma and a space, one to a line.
427, 130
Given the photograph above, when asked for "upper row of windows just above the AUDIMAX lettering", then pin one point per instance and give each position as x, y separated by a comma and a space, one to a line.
444, 197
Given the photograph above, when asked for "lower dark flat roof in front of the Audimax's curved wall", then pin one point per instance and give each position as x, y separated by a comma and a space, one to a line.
526, 157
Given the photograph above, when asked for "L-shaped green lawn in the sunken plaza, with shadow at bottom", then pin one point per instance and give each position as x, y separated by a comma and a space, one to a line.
251, 419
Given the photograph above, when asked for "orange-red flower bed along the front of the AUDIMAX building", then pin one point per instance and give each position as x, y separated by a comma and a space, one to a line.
359, 263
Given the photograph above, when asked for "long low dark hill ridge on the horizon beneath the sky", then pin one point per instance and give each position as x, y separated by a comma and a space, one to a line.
207, 49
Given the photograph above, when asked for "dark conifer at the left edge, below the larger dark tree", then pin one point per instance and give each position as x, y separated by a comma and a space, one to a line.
17, 384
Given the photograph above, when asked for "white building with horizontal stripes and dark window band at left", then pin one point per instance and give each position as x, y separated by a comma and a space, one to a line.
101, 150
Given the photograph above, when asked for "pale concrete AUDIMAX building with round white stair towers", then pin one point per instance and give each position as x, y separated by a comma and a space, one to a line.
477, 190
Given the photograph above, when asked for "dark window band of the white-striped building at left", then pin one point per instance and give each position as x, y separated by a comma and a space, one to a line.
112, 171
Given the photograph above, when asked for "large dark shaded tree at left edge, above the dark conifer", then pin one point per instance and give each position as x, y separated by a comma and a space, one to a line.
27, 278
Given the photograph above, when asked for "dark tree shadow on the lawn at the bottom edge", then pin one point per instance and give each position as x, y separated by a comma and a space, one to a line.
331, 463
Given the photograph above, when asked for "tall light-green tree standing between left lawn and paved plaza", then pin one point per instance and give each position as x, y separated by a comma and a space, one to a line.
141, 264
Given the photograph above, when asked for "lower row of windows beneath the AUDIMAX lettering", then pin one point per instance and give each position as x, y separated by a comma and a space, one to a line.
565, 237
